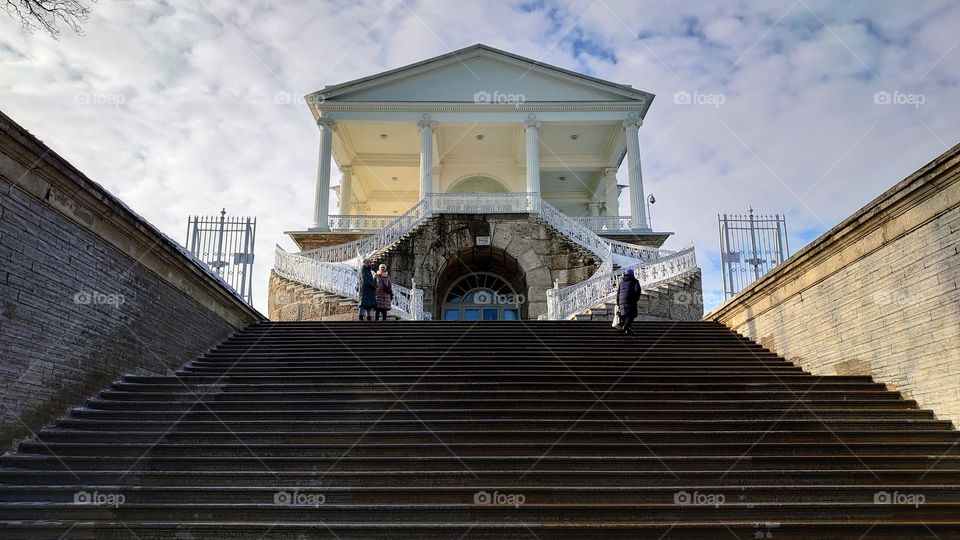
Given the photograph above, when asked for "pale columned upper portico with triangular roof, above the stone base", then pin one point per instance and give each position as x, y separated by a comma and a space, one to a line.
479, 120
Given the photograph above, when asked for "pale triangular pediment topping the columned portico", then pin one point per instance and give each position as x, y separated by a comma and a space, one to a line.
481, 72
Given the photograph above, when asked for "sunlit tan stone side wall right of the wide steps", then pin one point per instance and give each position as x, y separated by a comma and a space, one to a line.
877, 295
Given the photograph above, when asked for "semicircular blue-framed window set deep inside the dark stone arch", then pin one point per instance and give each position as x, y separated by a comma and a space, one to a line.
481, 297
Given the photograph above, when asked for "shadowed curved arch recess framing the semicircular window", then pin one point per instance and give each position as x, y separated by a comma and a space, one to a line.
481, 260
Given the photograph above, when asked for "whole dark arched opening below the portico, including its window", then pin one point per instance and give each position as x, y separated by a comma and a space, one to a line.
481, 283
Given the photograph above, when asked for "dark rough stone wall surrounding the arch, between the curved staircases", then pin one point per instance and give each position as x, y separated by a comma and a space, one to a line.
544, 255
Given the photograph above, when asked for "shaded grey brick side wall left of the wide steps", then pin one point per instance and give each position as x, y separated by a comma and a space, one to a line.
88, 291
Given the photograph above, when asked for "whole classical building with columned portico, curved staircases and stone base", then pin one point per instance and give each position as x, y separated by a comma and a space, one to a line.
489, 181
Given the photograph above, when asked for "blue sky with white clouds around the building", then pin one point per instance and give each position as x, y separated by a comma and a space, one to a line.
184, 107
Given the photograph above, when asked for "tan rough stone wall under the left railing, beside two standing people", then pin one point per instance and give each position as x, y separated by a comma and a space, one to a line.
291, 301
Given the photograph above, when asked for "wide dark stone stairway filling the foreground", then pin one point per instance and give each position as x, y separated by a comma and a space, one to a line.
487, 430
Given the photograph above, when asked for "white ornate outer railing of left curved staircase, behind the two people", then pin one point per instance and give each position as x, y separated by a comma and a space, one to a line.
343, 280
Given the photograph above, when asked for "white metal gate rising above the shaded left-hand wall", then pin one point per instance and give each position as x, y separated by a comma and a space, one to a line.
226, 246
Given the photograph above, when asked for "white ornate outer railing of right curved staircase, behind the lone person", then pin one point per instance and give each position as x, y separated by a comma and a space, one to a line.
566, 302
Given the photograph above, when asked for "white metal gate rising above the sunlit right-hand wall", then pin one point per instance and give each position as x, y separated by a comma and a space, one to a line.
749, 247
